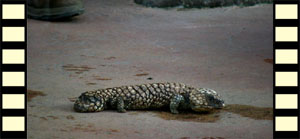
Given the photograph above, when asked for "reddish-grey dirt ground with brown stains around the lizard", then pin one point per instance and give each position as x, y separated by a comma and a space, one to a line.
116, 42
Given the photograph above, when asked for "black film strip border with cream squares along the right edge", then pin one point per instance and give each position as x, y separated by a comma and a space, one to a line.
286, 69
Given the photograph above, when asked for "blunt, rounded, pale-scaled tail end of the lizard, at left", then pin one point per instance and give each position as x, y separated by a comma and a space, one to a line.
89, 102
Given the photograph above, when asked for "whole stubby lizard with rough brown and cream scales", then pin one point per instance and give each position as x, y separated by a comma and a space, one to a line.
149, 96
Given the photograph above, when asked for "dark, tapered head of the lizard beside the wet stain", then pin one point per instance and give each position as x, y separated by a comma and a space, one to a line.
205, 99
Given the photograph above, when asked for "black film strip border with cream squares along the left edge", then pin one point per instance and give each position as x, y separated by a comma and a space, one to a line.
13, 69
